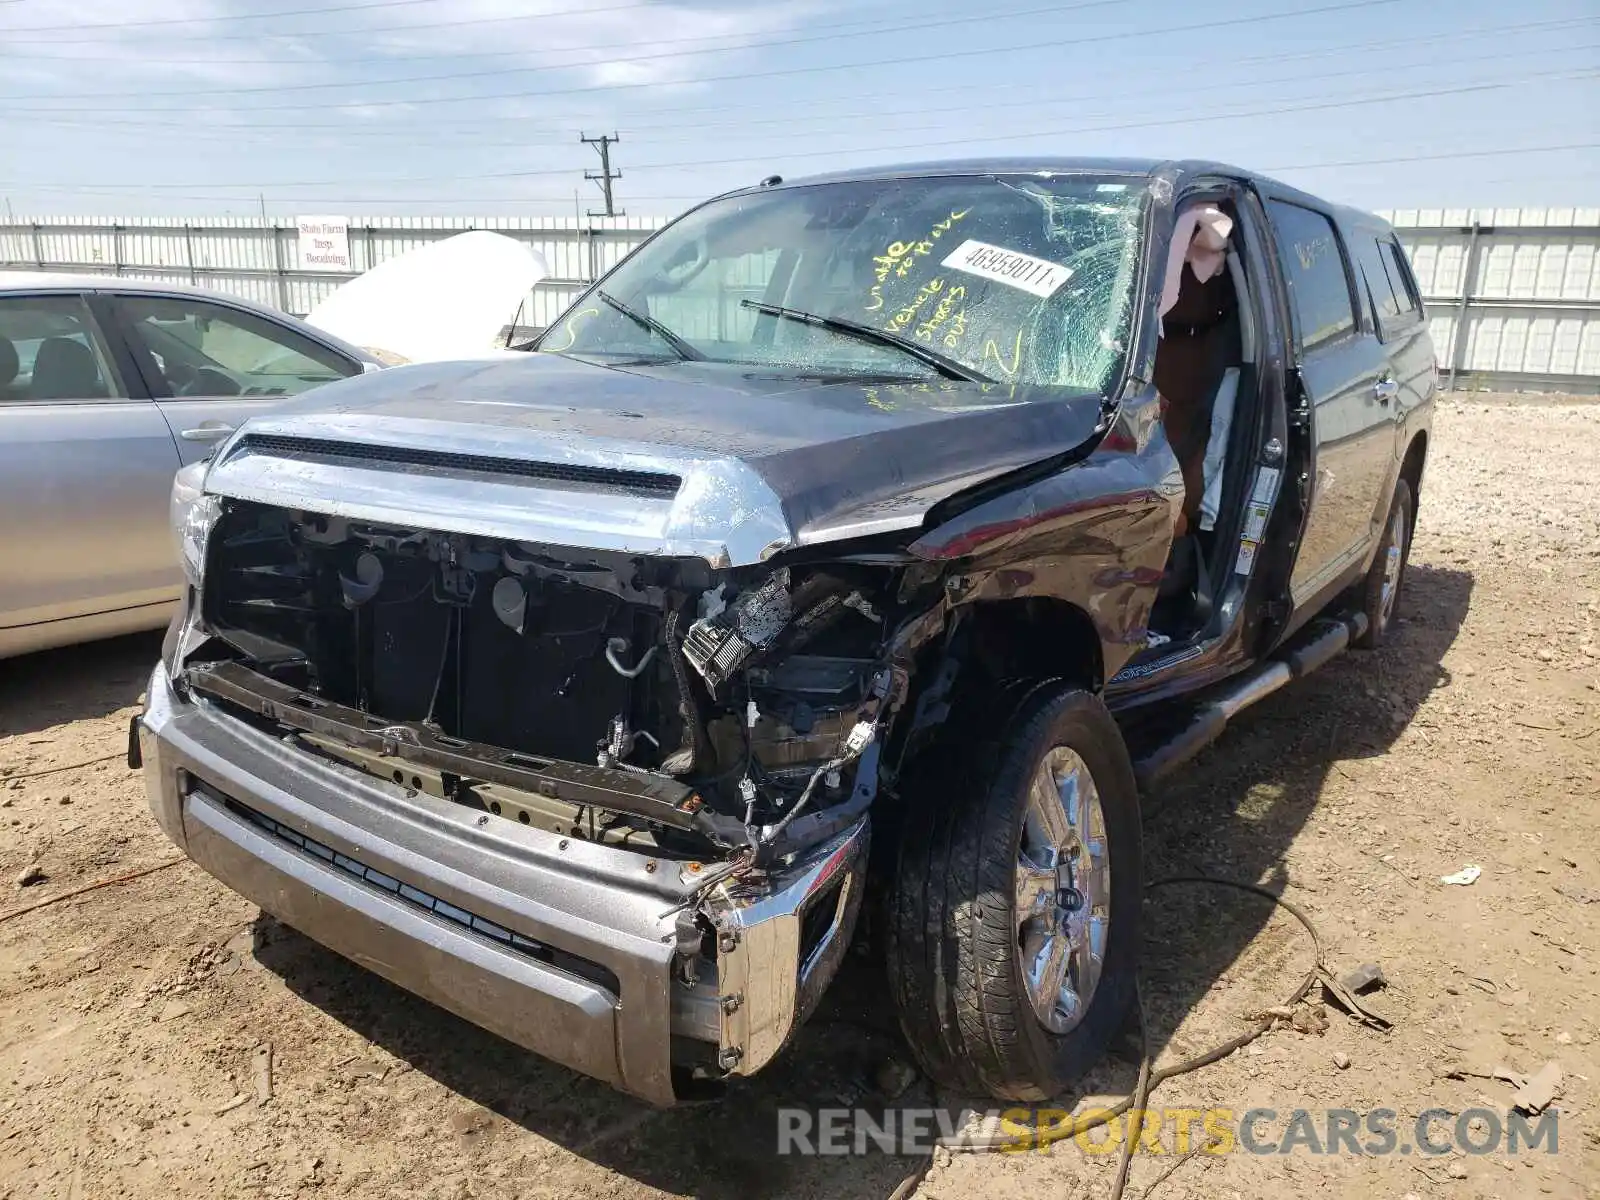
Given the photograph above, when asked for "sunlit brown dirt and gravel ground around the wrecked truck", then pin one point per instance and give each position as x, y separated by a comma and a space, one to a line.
134, 1018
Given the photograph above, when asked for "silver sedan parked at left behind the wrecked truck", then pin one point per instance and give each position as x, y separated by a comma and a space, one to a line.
108, 386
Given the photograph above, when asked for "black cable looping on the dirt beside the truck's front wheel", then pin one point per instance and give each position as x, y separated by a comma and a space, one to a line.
1150, 1079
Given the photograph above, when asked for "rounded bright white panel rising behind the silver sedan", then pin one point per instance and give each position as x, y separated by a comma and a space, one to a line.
442, 302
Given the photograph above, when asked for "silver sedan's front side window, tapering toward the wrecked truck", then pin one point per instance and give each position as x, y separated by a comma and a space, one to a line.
207, 350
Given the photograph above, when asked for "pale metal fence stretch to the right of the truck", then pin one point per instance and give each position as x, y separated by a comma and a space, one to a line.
1513, 294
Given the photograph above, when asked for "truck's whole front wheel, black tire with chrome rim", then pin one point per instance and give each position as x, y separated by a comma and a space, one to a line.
1014, 927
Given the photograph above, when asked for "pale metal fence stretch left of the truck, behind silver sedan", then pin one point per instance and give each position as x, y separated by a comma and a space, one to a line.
255, 258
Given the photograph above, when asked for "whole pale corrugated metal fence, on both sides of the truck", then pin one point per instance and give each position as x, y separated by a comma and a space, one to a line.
1521, 286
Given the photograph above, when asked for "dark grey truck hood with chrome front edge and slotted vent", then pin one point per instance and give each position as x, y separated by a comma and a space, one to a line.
732, 463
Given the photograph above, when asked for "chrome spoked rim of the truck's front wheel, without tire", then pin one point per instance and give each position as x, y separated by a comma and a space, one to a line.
1063, 890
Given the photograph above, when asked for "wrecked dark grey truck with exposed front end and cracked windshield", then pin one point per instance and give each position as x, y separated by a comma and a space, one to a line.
858, 542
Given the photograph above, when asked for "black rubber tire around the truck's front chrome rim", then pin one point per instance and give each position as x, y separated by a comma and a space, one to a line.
953, 942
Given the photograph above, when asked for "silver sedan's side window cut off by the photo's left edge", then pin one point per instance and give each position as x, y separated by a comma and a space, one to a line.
50, 351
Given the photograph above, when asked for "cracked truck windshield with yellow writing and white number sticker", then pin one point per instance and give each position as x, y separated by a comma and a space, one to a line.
1015, 279
